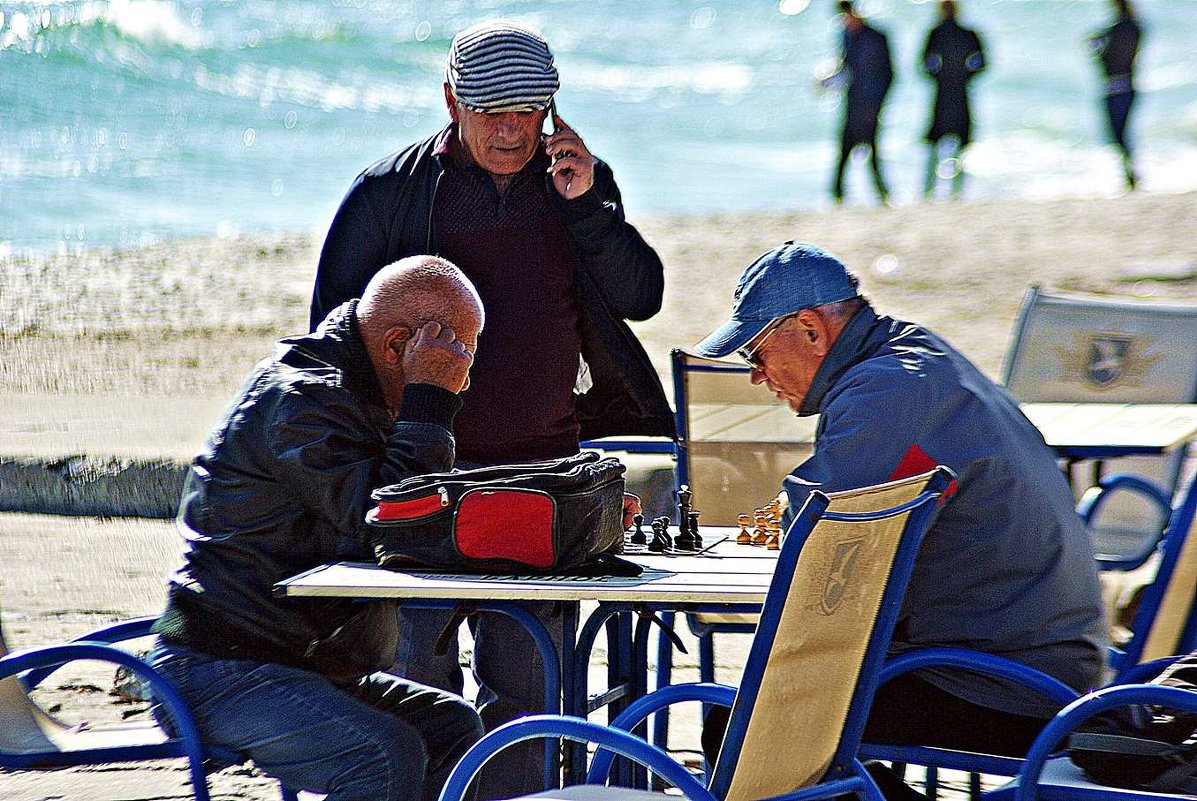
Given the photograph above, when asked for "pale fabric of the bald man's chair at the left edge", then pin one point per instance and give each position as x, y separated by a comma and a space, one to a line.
27, 729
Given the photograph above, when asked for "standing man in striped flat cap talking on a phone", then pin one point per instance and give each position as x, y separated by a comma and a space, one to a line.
538, 226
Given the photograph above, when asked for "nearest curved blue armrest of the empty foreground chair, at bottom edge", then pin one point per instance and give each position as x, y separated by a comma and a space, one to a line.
570, 729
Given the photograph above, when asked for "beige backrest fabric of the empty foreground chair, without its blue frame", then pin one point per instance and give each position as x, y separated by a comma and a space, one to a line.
815, 663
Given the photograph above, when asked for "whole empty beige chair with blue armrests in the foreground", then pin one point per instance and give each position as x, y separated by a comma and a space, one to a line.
798, 717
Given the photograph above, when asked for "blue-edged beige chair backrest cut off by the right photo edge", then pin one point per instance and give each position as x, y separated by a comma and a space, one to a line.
1166, 621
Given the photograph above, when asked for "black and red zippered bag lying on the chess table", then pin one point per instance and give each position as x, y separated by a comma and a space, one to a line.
543, 518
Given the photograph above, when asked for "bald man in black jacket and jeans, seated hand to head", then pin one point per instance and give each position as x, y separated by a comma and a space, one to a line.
283, 486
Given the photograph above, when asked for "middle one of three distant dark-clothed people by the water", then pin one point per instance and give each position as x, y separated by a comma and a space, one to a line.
952, 57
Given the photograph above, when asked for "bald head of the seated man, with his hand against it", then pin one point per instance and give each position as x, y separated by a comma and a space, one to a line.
423, 304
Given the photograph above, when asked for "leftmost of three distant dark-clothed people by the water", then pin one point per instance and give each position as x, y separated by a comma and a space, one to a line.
867, 70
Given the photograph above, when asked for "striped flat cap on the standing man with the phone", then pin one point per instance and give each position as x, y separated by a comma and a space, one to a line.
502, 66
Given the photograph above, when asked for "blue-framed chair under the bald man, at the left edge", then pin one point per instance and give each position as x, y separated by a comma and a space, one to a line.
33, 739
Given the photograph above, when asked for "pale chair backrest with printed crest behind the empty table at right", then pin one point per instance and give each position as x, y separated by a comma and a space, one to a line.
1109, 350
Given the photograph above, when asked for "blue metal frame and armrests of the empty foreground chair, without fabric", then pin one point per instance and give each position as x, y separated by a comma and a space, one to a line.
846, 773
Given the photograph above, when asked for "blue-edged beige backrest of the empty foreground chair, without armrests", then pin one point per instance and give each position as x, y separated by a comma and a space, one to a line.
824, 633
